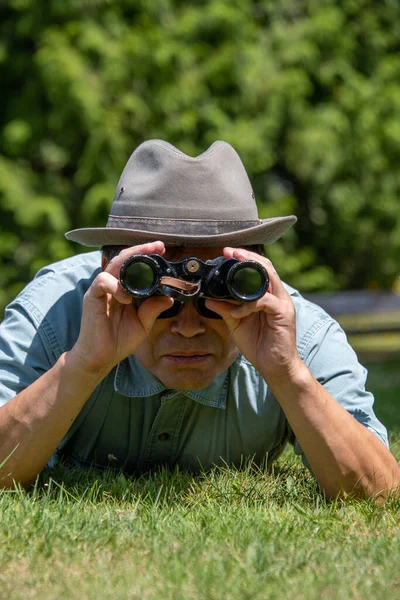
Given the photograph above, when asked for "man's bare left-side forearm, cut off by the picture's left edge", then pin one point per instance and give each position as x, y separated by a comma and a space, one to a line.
34, 422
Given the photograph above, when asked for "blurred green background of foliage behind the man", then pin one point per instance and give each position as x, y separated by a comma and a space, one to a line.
308, 93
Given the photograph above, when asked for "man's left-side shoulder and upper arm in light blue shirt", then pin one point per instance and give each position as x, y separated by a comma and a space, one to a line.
43, 321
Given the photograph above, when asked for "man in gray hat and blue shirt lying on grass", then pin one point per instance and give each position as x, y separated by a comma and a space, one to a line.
89, 376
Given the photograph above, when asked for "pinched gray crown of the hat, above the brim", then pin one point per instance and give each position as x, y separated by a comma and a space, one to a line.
160, 181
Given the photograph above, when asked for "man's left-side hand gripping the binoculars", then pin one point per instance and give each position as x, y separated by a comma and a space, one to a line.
112, 327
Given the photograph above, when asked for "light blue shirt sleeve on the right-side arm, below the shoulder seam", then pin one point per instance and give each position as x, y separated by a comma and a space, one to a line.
334, 364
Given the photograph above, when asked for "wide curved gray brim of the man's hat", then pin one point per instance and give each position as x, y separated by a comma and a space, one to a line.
267, 232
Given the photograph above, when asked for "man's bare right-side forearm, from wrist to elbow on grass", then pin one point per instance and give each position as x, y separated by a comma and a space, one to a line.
343, 454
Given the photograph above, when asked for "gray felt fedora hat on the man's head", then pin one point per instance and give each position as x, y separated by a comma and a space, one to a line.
163, 194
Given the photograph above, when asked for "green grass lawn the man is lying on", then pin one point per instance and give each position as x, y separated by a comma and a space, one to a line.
227, 534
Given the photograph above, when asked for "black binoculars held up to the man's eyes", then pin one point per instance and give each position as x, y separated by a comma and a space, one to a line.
191, 279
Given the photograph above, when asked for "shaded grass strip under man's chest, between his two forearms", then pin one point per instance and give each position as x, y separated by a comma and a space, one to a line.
284, 481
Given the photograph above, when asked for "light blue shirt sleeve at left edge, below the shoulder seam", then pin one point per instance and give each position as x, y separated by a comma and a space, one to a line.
25, 351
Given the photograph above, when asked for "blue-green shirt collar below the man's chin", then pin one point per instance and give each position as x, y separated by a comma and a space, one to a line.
133, 380
